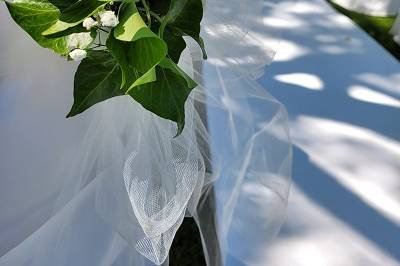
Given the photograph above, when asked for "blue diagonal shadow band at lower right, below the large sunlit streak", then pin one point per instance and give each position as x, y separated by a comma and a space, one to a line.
343, 203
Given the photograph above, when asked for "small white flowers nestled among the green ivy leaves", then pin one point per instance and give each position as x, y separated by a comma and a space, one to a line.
105, 18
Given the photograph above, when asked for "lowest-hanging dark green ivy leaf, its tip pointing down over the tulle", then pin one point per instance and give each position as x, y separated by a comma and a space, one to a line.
166, 96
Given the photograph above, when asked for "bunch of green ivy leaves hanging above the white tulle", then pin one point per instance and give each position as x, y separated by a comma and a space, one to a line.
138, 57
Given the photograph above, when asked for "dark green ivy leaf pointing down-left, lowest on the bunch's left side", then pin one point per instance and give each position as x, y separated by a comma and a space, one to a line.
97, 79
